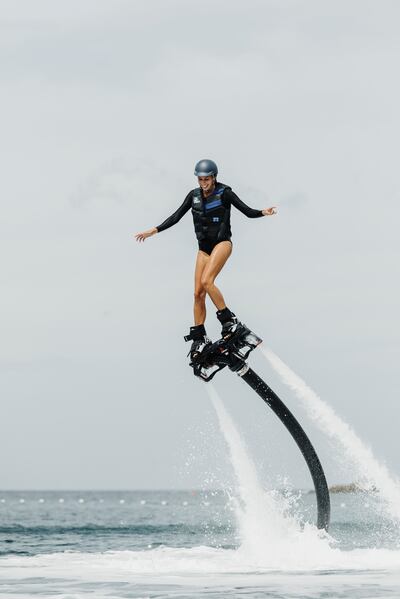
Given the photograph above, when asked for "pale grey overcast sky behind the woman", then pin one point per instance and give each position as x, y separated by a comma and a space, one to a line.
105, 108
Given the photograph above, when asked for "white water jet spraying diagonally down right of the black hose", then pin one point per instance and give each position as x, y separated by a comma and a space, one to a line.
372, 473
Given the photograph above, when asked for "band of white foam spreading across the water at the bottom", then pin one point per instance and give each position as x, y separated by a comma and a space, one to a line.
192, 561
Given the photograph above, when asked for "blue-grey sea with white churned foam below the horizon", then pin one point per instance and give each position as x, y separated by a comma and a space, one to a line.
160, 544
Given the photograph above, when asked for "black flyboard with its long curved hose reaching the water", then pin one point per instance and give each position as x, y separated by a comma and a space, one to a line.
233, 352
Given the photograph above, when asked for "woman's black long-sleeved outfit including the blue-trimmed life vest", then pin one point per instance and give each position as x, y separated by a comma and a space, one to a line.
221, 199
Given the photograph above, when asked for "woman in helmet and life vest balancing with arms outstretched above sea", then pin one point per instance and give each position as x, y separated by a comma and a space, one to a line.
211, 207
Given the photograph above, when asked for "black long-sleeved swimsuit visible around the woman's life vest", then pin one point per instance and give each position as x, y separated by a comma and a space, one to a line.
208, 243
